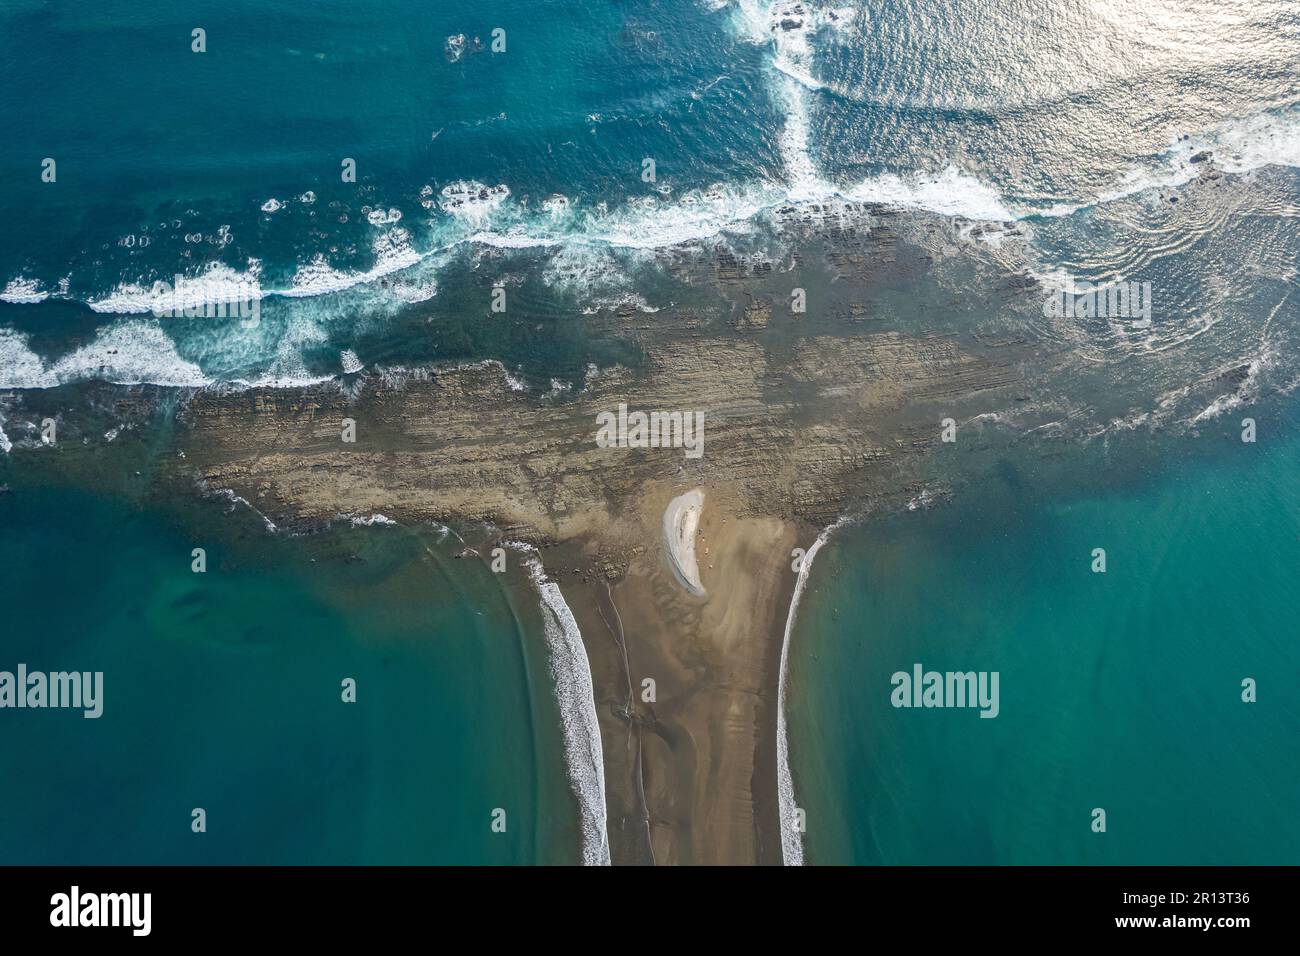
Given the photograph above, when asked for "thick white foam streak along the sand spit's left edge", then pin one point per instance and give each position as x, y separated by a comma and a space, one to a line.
577, 698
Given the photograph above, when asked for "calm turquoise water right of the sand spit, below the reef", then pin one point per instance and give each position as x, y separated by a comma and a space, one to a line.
1120, 691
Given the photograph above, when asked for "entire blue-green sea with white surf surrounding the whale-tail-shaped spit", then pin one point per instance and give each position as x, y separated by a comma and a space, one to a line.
1058, 142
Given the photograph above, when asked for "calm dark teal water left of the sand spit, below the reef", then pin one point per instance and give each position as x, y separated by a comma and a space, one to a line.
224, 691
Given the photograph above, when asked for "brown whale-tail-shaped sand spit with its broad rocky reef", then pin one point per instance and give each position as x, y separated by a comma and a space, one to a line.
809, 421
